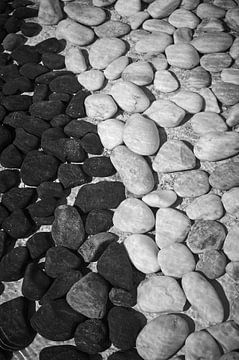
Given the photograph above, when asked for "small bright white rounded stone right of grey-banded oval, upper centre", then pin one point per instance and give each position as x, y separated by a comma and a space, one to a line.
165, 81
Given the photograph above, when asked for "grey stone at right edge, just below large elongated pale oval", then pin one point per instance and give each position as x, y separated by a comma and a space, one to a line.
225, 176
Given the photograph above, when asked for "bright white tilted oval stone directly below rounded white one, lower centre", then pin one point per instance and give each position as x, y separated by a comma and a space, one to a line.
142, 251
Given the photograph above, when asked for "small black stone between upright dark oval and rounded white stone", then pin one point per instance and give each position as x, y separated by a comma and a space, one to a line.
98, 221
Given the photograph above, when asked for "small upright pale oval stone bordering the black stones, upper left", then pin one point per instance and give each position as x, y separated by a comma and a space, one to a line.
75, 60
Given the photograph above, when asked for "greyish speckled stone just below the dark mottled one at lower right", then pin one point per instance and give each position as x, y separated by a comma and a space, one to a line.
212, 264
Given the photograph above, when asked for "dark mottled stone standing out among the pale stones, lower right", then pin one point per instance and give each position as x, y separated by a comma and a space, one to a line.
206, 235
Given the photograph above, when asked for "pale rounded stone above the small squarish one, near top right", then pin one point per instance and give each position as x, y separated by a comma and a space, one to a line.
183, 18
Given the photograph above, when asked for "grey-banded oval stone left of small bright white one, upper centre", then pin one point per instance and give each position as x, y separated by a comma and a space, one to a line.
139, 73
